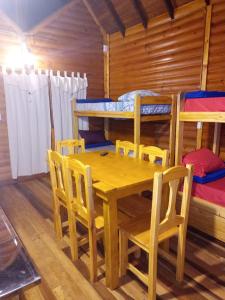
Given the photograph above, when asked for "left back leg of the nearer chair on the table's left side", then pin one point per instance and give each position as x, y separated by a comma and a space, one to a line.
73, 235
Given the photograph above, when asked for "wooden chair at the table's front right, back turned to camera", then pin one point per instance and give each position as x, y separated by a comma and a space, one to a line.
148, 231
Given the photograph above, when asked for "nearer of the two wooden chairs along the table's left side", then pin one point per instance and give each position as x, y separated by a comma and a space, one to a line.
83, 208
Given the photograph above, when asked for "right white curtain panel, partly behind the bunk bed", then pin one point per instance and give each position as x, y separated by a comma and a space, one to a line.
64, 89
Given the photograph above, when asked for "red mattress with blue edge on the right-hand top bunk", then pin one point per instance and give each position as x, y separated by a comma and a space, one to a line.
204, 101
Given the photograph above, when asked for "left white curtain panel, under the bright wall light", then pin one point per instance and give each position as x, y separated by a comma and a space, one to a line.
29, 129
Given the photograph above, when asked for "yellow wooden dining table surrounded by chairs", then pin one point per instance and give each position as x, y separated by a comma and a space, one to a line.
115, 177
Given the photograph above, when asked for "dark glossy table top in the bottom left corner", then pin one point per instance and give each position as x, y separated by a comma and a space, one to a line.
16, 268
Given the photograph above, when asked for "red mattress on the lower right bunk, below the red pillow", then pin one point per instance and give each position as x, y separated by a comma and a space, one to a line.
213, 192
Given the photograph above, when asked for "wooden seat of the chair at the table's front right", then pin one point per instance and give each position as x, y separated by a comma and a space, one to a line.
138, 231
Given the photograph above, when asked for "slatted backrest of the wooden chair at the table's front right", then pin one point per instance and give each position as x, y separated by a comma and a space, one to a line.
168, 226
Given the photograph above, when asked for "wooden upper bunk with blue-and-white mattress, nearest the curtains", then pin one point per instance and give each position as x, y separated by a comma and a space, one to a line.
142, 109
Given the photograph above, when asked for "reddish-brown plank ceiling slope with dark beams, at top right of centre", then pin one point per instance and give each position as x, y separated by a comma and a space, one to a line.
118, 15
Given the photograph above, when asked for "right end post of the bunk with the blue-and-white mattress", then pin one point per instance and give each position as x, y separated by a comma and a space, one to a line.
172, 130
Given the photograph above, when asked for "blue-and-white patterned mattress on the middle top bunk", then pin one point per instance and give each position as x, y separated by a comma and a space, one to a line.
151, 109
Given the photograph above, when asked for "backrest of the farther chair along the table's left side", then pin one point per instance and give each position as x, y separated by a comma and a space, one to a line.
56, 174
